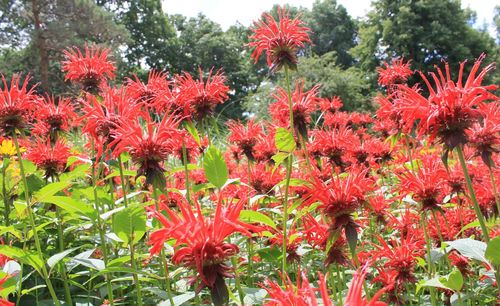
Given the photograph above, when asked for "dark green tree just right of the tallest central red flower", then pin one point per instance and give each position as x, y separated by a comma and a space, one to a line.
332, 29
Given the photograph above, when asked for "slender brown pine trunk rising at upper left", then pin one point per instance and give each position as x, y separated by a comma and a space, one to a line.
41, 44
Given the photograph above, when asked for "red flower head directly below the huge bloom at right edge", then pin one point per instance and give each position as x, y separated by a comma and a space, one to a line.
427, 183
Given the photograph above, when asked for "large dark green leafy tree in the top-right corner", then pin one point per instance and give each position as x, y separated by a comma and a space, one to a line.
424, 31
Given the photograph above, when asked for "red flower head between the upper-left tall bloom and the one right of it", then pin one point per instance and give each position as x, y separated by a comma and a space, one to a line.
156, 92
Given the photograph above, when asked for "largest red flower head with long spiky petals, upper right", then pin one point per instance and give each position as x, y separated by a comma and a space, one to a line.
451, 109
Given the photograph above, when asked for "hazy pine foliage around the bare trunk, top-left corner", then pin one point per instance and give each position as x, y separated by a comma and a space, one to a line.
39, 30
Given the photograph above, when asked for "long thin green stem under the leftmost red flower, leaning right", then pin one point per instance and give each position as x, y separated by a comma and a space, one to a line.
31, 216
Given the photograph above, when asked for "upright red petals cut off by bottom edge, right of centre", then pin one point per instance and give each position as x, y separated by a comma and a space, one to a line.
355, 294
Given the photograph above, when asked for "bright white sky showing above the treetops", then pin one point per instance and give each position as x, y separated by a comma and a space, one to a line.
228, 12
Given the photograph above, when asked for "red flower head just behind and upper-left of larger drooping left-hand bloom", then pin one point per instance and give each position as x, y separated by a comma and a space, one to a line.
103, 118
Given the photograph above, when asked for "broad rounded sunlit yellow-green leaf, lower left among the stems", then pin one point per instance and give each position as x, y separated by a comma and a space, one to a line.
130, 222
